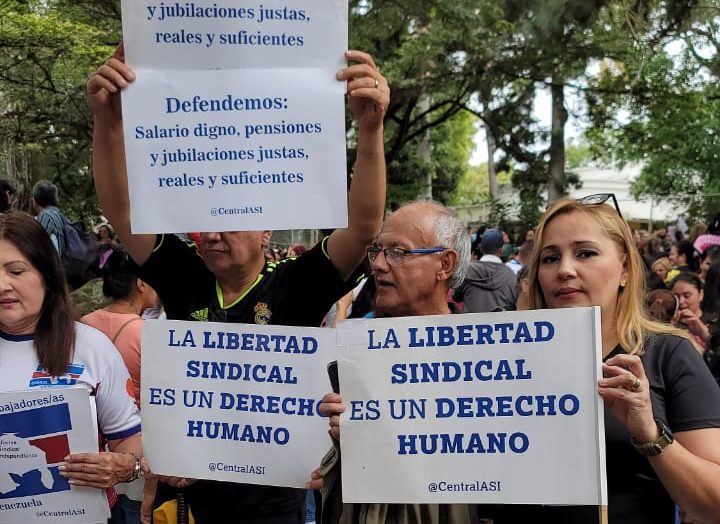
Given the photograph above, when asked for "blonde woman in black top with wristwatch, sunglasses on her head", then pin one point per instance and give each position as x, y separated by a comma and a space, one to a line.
662, 406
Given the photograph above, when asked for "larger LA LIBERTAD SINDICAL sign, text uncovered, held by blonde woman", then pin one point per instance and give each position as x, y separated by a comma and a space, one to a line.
477, 408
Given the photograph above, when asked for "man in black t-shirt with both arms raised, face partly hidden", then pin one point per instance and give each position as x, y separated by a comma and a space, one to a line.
232, 282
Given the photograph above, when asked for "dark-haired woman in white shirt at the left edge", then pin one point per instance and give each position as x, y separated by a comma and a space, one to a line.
38, 334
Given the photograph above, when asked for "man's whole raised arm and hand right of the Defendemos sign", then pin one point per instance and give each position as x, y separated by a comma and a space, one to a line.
369, 97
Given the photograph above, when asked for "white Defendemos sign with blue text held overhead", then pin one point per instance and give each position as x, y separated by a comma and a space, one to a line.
236, 120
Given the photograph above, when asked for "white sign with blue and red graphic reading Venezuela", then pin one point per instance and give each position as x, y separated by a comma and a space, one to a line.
38, 429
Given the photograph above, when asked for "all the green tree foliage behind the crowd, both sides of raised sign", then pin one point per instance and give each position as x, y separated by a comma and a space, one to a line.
446, 60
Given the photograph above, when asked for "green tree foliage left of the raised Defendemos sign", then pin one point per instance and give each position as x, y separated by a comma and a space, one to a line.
47, 50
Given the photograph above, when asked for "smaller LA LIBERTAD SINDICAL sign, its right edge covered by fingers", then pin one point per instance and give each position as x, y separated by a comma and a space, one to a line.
235, 402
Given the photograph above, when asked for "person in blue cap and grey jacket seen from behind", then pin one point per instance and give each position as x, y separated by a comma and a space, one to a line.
489, 284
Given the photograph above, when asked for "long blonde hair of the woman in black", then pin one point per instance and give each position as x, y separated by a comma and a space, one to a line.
633, 322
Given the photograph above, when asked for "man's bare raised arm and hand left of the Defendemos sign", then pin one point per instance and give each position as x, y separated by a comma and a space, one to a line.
109, 170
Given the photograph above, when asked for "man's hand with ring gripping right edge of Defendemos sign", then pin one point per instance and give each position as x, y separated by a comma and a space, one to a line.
368, 91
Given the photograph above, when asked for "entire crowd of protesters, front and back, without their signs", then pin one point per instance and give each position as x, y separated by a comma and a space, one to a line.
658, 296
